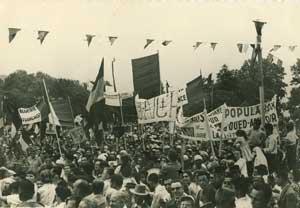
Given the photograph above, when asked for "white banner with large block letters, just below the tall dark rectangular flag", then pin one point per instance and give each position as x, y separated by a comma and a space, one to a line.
160, 108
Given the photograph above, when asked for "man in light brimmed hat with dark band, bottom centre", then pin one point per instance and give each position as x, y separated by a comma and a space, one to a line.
139, 195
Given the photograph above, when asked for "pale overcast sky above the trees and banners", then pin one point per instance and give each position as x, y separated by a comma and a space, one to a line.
65, 54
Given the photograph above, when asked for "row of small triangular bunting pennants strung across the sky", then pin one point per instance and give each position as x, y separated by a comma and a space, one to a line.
241, 47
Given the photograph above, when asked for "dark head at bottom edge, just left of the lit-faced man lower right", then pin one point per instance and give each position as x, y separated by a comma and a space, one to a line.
225, 198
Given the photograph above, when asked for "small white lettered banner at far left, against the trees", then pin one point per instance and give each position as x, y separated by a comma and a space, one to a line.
30, 115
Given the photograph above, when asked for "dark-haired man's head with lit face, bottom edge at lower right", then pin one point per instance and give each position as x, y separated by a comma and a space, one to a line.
261, 196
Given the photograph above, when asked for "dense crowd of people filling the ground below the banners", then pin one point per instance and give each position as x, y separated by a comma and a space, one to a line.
153, 169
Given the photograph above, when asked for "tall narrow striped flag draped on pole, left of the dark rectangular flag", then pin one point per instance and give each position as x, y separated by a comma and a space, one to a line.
97, 93
